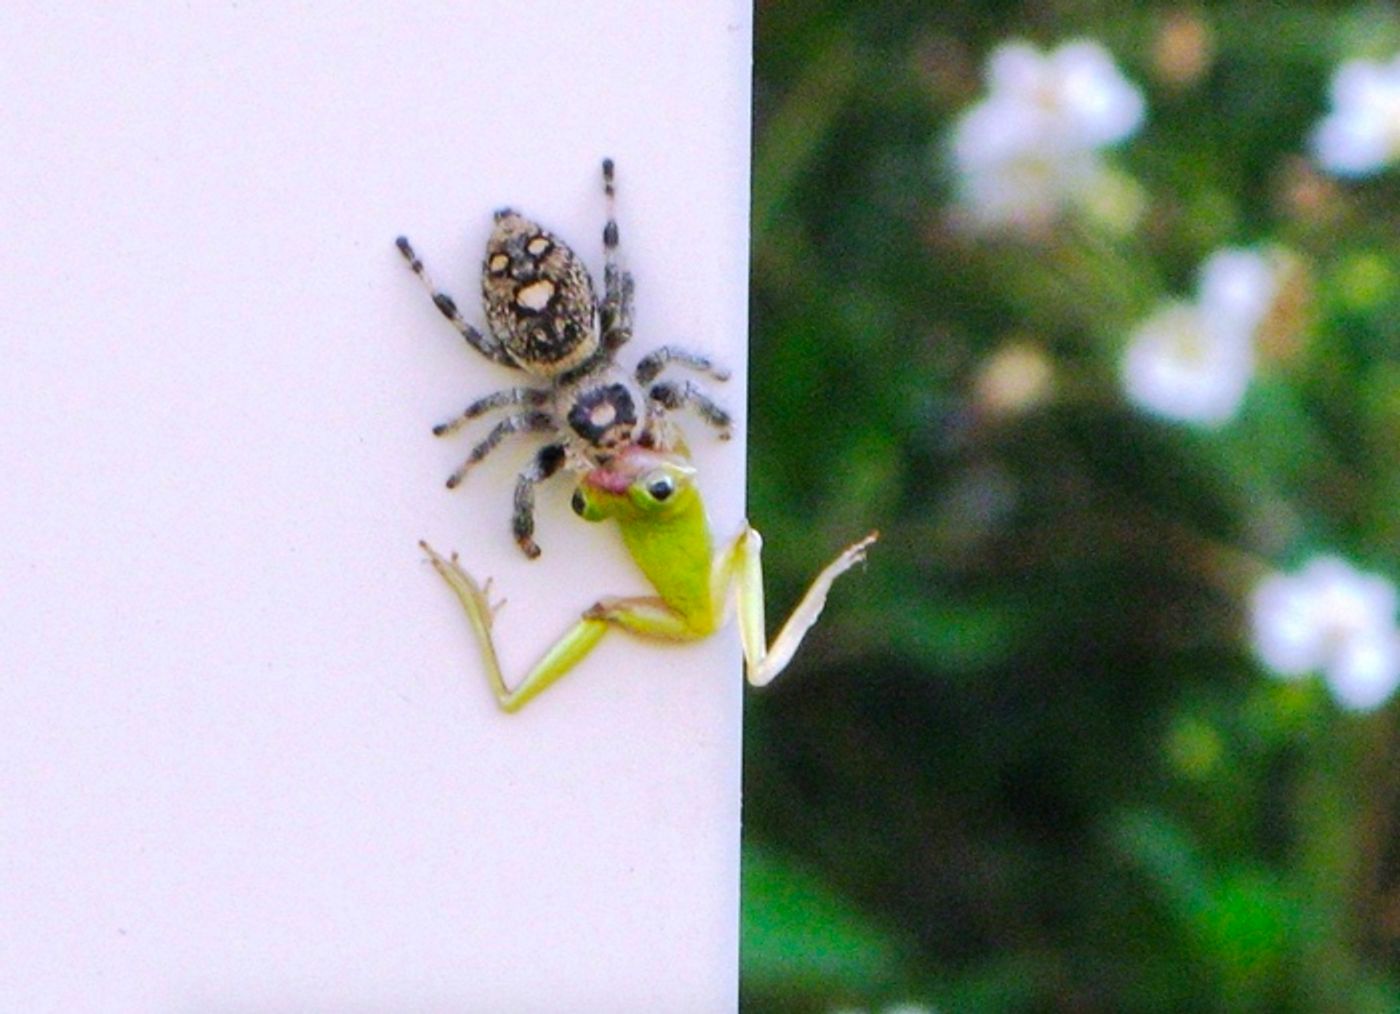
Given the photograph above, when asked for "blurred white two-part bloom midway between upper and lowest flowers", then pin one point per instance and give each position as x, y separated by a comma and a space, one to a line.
1192, 362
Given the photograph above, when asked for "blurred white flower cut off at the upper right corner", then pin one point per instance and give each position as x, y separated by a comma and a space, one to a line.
1361, 135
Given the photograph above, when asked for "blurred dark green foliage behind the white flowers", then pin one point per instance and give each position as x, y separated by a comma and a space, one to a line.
1028, 761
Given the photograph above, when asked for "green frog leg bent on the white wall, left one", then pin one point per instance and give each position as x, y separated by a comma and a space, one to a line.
643, 617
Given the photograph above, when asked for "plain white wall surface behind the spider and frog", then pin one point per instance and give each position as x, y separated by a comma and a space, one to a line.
247, 757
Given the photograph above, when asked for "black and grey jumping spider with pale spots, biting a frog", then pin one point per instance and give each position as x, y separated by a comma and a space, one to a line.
545, 320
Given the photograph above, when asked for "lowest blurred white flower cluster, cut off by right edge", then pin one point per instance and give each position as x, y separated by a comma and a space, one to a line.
1331, 618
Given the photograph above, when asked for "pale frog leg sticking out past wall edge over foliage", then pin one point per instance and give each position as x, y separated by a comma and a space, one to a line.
740, 569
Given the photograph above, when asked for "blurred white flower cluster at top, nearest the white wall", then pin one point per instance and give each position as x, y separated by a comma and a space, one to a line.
1030, 149
